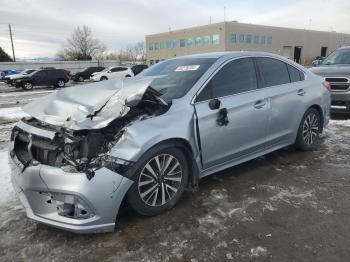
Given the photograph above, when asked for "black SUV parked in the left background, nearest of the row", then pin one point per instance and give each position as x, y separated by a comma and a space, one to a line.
46, 77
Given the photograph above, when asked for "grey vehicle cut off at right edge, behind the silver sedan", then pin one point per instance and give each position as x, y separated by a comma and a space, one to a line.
335, 68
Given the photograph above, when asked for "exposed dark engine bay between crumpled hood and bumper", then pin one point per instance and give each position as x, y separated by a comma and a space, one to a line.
82, 150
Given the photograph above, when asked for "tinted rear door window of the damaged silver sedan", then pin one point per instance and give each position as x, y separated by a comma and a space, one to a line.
273, 71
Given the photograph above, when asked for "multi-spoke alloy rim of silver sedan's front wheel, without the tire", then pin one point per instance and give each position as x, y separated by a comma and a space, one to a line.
160, 179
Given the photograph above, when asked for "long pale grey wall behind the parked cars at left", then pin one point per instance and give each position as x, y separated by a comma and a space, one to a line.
73, 66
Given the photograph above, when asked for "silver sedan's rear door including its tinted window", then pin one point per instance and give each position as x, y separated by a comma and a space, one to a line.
284, 91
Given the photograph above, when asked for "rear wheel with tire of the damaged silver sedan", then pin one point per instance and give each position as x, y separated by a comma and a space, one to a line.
309, 130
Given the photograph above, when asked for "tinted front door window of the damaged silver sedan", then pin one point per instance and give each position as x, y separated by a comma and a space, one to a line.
235, 77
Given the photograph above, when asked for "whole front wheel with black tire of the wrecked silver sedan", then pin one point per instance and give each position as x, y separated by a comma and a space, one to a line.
160, 182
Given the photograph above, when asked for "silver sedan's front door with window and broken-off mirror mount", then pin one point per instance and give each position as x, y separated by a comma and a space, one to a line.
237, 127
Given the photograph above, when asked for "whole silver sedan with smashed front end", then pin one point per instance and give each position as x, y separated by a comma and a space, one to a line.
145, 140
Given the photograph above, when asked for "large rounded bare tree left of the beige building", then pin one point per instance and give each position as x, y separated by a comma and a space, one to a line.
81, 46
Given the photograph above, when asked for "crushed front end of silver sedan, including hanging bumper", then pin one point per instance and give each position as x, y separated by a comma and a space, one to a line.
69, 178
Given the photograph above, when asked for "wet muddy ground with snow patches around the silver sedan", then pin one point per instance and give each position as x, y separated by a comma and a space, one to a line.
286, 206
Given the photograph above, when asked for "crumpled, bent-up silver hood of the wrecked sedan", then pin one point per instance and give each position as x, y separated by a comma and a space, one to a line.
90, 106
